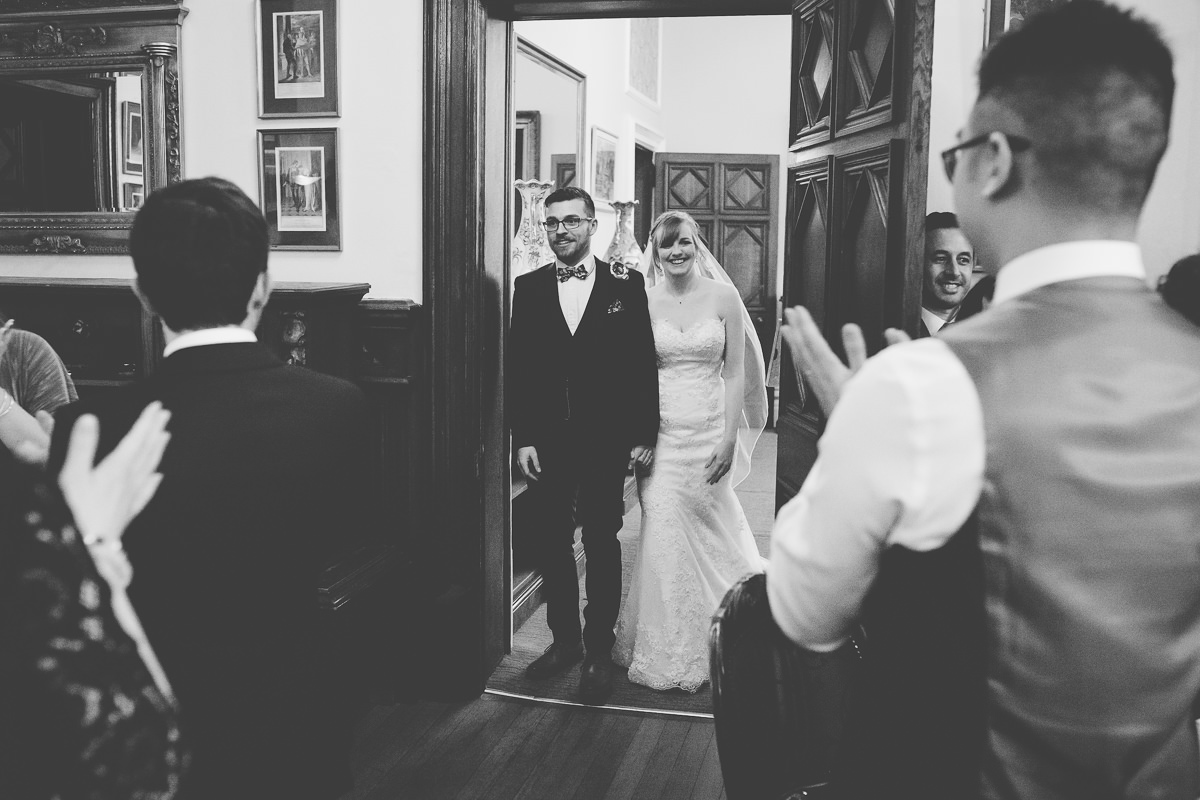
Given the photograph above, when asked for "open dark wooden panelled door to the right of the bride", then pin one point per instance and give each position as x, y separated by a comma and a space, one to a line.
856, 187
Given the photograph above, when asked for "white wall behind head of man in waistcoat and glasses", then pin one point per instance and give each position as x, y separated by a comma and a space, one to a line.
1171, 224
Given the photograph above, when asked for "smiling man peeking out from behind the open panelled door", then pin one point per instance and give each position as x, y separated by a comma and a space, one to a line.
950, 266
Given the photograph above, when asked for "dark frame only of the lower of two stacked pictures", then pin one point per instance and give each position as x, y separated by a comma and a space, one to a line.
268, 197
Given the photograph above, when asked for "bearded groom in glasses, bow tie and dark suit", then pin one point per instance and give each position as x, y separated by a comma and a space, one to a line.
584, 406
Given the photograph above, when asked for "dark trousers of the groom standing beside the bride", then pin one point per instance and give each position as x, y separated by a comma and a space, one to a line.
583, 483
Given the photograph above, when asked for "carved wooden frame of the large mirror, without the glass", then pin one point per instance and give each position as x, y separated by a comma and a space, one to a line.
49, 38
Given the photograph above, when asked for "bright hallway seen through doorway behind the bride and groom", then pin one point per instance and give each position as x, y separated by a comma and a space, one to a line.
649, 137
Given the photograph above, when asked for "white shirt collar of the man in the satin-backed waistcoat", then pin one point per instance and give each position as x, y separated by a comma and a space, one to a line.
1069, 262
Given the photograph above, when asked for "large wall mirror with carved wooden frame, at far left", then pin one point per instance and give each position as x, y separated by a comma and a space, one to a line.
89, 121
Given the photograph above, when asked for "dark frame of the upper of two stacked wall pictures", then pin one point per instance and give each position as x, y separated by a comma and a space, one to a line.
274, 107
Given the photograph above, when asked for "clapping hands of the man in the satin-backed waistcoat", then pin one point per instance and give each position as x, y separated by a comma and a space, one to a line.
815, 360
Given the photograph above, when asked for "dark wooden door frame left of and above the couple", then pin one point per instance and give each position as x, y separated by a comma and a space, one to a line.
467, 58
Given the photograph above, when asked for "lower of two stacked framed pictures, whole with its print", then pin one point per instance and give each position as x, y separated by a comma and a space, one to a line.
298, 188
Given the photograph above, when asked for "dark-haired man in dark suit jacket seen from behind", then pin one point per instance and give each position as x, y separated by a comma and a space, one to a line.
265, 478
